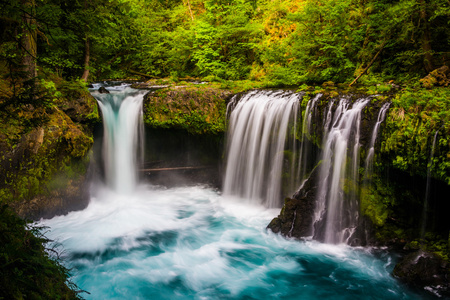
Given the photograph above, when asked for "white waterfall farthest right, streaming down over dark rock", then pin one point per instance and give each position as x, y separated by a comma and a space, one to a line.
336, 212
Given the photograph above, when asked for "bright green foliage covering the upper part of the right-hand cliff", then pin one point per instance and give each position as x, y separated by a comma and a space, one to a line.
417, 115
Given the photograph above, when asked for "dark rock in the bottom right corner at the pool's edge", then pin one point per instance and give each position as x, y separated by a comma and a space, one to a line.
425, 271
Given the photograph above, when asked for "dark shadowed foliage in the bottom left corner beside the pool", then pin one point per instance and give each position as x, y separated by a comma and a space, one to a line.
26, 269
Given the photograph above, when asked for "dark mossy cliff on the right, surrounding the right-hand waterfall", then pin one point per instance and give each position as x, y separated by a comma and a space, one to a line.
402, 202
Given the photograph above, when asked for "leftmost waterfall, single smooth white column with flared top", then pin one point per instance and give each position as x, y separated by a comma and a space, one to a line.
123, 136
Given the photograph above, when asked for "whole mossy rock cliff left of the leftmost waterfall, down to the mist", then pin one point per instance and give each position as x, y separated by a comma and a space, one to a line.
44, 155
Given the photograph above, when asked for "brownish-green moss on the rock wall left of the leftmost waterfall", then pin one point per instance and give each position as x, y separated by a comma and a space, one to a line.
33, 155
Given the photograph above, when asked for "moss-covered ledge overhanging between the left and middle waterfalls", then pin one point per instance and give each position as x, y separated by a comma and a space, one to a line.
198, 109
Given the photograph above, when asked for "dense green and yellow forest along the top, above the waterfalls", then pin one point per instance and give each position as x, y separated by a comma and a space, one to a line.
278, 42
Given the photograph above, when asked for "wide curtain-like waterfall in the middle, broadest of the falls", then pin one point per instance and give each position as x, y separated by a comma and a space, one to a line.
262, 128
